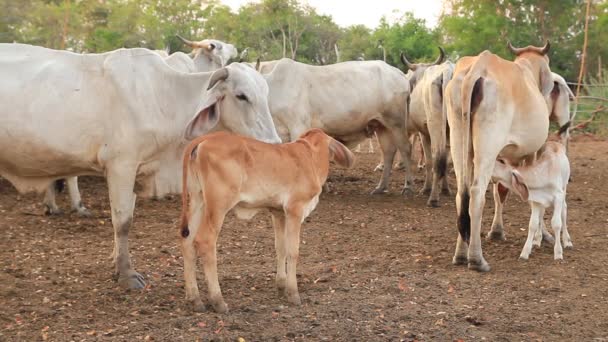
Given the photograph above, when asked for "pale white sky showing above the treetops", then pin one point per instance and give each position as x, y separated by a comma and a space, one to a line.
368, 13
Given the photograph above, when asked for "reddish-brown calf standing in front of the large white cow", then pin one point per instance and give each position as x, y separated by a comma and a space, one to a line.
223, 171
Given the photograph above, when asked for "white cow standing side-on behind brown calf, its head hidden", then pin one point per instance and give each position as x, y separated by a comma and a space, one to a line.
348, 100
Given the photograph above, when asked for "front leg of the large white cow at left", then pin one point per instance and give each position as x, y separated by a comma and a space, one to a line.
121, 180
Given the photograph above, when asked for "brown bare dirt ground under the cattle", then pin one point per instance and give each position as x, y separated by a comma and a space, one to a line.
372, 268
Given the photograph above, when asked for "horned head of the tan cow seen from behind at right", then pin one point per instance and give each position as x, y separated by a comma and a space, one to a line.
538, 62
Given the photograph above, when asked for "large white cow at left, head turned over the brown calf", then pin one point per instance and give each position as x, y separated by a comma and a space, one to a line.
116, 113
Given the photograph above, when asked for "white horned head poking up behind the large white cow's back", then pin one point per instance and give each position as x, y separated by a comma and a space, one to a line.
210, 54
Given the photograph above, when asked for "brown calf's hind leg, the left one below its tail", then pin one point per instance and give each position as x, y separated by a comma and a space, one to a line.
189, 253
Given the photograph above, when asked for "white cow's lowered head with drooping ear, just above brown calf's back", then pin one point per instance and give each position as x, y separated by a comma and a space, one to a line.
236, 100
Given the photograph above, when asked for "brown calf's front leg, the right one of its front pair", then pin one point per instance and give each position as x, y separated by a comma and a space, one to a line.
293, 221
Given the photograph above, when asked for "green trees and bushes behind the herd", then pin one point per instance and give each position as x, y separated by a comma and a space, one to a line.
274, 29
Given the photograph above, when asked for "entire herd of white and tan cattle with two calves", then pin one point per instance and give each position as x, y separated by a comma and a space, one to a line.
244, 137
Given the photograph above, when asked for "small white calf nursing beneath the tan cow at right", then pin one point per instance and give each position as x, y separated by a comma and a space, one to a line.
542, 183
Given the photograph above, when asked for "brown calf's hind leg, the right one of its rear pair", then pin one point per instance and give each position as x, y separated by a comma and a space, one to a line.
206, 242
